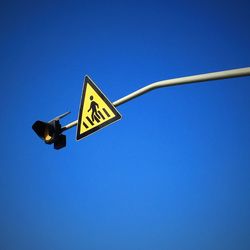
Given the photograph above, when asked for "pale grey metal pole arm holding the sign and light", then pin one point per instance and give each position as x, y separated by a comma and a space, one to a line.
177, 81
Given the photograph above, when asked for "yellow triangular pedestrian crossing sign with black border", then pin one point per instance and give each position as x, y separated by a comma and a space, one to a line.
96, 111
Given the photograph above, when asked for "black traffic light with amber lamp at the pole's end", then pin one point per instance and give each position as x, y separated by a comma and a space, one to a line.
51, 132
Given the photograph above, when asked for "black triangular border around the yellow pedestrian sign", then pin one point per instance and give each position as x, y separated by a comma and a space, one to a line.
118, 116
